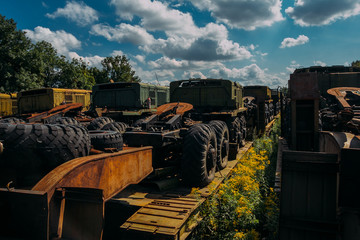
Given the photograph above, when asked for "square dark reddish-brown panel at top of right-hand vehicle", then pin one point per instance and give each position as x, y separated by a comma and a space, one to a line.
304, 86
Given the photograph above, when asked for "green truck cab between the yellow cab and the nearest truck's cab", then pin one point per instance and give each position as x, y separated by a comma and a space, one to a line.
127, 102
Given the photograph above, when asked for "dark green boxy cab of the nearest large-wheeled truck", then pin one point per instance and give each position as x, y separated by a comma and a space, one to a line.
217, 94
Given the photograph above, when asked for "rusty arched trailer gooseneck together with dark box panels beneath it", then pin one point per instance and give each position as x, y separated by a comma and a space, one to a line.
69, 202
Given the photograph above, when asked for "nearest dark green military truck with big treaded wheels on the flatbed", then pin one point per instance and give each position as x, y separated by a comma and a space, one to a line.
195, 132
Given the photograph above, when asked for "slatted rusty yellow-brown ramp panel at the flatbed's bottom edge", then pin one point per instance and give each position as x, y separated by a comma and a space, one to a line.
163, 217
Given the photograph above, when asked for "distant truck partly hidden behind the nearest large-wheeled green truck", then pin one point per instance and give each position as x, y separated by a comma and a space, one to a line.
265, 108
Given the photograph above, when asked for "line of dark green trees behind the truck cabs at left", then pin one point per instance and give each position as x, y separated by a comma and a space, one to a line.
25, 65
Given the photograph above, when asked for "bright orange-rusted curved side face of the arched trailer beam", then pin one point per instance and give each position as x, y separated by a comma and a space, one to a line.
110, 172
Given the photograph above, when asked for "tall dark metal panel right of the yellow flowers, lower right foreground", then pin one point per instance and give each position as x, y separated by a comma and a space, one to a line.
308, 195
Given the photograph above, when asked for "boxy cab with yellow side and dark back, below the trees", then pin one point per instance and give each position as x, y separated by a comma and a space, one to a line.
44, 99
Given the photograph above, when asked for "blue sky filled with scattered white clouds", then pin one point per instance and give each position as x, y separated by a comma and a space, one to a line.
254, 42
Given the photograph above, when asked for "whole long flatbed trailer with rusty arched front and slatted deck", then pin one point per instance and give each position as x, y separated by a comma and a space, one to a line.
99, 197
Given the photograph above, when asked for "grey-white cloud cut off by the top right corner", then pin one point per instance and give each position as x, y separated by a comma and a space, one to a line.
323, 12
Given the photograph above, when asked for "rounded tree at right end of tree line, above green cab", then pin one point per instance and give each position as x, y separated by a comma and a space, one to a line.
118, 69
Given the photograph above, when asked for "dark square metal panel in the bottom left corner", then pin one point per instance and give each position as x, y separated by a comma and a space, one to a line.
23, 214
